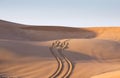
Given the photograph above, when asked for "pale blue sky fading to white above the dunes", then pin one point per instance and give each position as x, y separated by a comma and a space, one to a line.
77, 13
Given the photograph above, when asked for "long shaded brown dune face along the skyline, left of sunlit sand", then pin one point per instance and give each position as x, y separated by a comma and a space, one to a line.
34, 33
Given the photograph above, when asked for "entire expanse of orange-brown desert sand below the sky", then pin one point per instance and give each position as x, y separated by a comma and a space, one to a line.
58, 52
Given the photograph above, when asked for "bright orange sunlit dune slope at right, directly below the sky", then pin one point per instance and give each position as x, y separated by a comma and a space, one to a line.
107, 33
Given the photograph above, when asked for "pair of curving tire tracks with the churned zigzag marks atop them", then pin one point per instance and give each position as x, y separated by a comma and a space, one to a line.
60, 62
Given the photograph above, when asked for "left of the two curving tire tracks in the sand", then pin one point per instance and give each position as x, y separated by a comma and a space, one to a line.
60, 64
